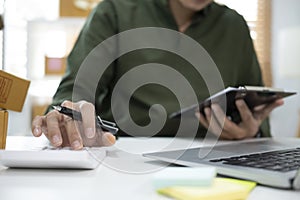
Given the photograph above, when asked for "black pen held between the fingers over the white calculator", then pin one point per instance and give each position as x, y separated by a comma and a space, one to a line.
103, 124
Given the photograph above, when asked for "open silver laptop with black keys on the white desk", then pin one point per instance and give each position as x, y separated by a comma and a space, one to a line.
268, 161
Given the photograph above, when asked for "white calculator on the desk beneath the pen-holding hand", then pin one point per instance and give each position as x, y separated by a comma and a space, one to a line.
49, 157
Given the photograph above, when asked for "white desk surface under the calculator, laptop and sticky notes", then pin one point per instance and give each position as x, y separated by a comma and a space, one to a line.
125, 174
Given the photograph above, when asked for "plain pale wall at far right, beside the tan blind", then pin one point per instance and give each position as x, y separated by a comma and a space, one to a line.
286, 64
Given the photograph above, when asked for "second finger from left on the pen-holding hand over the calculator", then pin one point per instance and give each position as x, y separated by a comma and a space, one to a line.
53, 119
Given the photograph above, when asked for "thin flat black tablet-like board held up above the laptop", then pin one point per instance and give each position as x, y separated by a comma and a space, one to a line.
252, 95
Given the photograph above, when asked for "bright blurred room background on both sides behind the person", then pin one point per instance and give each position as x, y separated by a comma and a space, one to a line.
38, 35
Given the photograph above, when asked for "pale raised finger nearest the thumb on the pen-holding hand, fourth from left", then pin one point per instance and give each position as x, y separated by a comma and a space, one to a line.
88, 118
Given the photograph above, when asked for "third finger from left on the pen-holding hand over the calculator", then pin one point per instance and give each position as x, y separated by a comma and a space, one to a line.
73, 133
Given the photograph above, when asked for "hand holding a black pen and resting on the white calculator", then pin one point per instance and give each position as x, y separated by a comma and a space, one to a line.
62, 130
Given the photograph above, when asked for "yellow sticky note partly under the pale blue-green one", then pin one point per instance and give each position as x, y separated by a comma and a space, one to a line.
222, 188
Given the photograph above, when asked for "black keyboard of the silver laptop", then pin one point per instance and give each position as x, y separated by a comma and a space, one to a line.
282, 160
